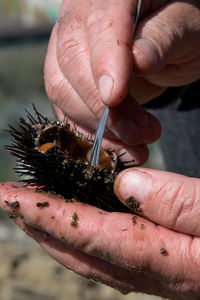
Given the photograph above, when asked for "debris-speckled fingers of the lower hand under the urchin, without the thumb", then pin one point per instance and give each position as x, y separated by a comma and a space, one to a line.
124, 251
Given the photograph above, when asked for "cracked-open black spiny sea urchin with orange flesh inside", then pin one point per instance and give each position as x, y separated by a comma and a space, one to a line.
55, 157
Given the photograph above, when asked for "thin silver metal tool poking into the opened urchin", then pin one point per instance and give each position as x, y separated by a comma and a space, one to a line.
96, 148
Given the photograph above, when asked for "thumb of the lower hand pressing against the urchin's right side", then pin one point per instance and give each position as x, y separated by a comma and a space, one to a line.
168, 199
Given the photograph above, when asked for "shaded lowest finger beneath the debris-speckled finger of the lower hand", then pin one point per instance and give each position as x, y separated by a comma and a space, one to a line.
94, 268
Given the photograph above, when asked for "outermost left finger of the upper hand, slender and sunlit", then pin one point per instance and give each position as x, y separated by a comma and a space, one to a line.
60, 91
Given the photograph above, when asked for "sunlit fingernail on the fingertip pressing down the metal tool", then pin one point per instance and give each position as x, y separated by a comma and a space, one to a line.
105, 85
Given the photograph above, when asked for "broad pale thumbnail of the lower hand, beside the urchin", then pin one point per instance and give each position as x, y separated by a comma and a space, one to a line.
133, 183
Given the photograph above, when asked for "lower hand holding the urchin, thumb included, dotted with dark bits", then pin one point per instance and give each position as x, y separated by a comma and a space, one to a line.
115, 248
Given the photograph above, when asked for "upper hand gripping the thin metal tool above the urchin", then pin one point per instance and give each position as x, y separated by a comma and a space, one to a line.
92, 40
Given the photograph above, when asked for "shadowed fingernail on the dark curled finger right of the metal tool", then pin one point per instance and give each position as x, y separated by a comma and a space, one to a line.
128, 131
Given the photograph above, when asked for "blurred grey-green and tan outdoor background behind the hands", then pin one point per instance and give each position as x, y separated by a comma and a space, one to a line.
26, 271
